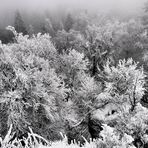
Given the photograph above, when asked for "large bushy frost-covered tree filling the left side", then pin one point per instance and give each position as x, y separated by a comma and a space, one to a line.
32, 93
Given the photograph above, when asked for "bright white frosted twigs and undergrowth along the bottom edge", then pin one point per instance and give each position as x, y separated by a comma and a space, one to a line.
109, 139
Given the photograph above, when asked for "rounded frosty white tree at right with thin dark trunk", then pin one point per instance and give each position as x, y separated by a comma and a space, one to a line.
124, 83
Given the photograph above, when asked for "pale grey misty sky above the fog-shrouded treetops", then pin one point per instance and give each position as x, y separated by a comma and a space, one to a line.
125, 7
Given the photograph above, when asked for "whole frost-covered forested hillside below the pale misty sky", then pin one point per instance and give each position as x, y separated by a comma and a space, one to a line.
76, 80
